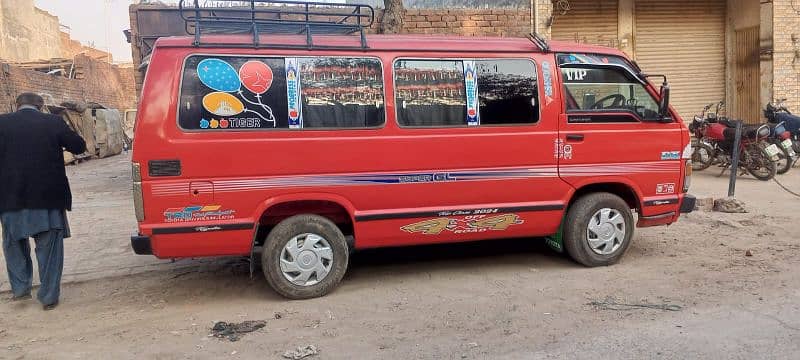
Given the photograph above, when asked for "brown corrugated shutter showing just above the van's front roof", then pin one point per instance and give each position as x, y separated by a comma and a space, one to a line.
588, 21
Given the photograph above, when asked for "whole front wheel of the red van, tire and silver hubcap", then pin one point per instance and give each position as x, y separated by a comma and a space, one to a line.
598, 229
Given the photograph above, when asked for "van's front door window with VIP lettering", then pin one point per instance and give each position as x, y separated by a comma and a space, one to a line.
603, 90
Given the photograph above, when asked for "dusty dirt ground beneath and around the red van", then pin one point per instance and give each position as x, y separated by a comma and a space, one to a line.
506, 299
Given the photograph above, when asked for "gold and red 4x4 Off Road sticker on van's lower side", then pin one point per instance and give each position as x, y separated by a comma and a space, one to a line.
464, 224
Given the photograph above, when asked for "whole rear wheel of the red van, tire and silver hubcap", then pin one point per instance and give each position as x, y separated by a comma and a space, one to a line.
305, 256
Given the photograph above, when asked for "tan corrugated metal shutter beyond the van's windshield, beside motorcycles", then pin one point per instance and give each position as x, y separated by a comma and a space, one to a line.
685, 40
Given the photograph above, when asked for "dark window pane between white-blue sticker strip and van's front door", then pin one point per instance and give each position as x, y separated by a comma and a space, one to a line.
507, 92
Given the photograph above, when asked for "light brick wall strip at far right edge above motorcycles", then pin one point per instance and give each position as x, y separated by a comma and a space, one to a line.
786, 59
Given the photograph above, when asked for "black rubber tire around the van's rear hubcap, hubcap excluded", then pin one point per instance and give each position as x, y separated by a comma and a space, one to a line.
297, 226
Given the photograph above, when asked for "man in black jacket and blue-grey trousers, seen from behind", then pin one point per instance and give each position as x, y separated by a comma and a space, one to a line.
35, 195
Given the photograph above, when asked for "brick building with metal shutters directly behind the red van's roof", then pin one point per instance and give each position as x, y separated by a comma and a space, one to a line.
745, 52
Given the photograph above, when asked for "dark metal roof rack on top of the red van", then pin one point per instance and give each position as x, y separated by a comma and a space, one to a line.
257, 17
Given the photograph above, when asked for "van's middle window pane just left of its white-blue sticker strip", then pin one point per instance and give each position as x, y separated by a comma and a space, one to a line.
430, 93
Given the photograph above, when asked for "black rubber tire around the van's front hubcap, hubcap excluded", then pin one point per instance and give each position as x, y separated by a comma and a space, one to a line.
576, 237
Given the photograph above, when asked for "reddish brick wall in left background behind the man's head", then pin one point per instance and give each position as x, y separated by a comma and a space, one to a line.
102, 83
